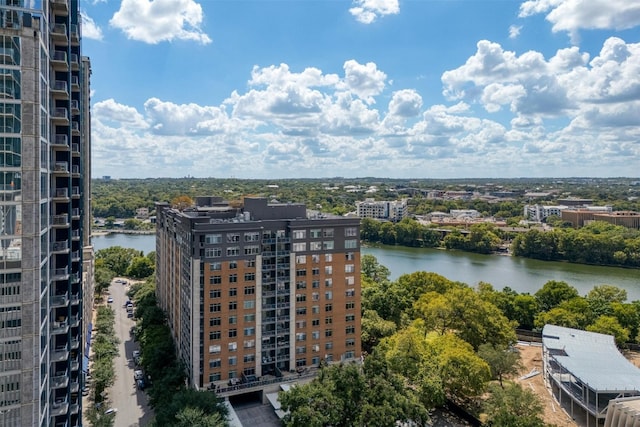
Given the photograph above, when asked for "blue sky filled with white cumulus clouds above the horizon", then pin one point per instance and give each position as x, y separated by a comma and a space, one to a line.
354, 88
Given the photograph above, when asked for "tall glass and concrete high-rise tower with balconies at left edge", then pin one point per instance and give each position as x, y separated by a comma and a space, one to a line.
44, 187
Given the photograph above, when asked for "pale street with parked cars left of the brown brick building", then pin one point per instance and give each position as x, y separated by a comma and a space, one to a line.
132, 404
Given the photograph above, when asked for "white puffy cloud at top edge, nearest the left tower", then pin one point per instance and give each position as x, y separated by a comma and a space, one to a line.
155, 21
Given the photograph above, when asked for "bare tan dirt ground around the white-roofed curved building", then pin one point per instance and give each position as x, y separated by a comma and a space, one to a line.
531, 357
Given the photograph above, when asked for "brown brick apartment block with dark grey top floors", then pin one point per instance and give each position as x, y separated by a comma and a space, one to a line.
258, 288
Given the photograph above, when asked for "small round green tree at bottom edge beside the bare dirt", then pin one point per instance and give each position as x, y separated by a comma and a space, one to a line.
513, 406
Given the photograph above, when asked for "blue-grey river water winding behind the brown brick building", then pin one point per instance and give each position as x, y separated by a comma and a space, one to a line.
520, 274
